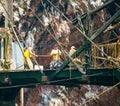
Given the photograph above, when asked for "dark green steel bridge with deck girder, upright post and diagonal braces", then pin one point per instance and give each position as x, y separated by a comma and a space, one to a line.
11, 81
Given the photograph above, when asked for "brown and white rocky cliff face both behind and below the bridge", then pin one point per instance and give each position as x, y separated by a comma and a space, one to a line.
51, 27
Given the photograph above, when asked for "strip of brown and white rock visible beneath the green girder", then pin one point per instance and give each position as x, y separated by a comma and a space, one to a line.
77, 96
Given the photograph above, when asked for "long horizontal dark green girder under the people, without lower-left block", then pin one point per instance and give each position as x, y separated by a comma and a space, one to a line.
67, 77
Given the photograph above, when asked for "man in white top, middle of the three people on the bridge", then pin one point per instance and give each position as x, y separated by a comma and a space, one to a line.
55, 53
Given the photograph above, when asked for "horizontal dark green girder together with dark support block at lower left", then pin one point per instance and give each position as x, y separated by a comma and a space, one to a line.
11, 82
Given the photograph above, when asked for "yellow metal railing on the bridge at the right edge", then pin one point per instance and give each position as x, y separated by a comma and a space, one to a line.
108, 52
